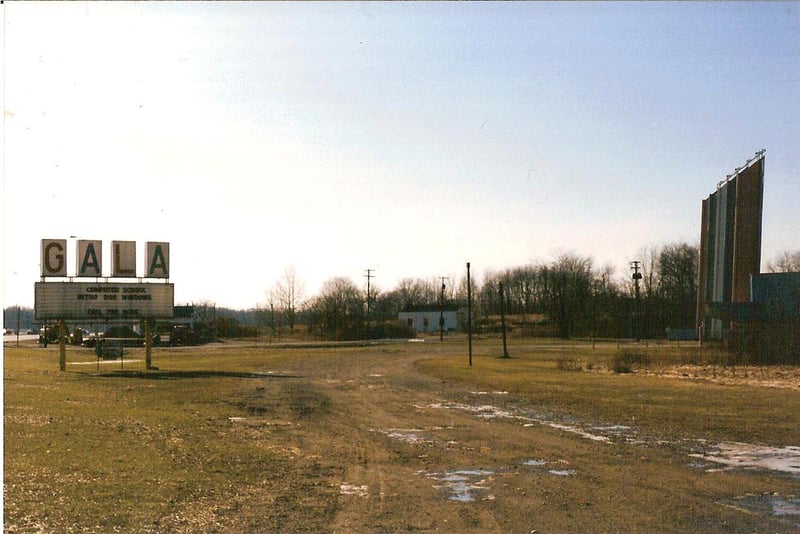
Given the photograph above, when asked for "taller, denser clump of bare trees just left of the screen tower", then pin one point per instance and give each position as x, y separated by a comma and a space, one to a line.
582, 300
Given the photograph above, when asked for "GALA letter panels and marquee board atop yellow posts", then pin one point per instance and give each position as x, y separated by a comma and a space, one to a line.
103, 300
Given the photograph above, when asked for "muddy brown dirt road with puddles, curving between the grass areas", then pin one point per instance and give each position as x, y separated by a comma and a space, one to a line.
372, 444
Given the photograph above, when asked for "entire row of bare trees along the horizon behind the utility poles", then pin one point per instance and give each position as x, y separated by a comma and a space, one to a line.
571, 294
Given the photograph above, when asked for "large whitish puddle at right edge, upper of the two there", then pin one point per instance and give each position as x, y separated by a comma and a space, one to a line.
734, 455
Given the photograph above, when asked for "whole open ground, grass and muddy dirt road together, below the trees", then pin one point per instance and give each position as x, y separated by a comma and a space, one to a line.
246, 437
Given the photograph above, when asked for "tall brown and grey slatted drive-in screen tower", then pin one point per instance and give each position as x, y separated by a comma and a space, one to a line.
730, 247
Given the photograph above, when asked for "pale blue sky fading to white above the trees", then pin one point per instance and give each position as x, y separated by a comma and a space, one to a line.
407, 138
